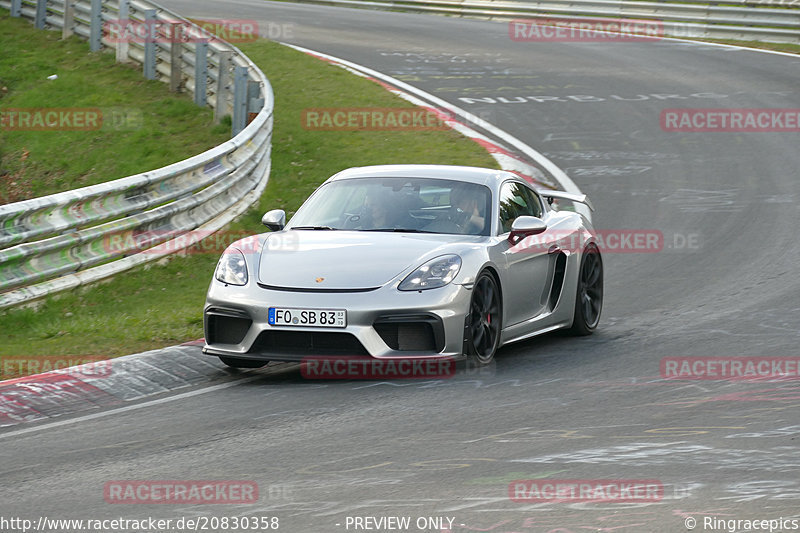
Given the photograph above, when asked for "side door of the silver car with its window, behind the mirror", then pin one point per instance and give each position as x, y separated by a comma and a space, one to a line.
529, 262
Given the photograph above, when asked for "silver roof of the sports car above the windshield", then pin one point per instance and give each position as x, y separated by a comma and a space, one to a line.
453, 172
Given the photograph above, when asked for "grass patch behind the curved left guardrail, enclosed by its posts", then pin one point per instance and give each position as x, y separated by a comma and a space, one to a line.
145, 126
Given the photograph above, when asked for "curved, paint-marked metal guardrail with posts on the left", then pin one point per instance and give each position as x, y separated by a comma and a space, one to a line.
64, 240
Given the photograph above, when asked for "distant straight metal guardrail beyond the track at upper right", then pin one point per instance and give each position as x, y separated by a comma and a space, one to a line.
768, 22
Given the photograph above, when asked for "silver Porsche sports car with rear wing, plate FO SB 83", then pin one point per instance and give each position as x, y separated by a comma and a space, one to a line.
406, 262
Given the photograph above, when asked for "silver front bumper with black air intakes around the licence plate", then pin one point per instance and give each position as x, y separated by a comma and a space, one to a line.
383, 323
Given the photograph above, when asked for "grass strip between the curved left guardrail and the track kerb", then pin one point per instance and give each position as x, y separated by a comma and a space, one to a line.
162, 305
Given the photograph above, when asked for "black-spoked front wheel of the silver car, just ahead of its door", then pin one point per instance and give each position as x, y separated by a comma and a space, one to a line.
484, 321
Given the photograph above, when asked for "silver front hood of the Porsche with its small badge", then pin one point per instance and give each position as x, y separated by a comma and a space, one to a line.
345, 260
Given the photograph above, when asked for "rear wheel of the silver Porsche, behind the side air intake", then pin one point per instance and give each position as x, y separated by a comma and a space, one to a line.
589, 297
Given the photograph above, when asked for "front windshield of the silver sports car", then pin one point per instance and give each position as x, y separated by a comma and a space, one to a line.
415, 205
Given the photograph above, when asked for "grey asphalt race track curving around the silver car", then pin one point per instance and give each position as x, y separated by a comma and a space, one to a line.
723, 283
